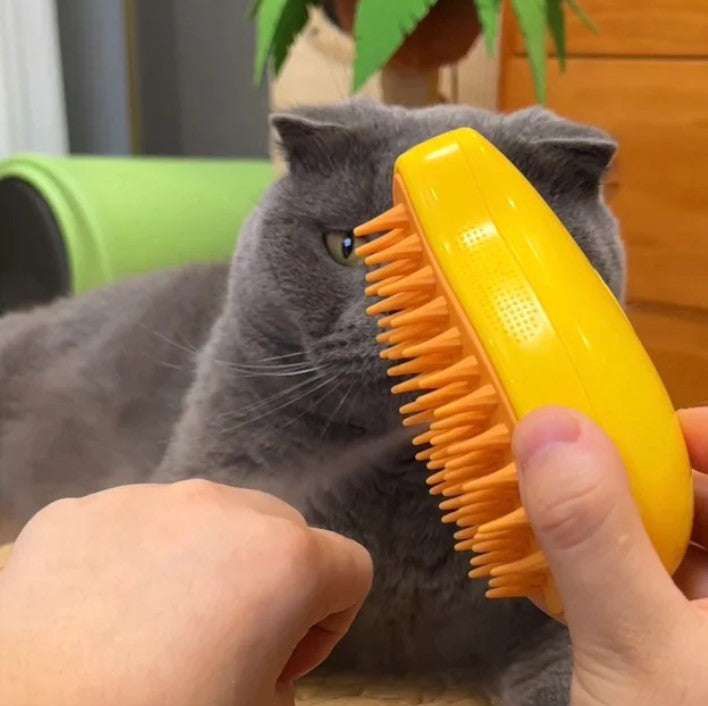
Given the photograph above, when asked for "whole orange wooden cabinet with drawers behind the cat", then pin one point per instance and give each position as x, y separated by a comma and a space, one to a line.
644, 78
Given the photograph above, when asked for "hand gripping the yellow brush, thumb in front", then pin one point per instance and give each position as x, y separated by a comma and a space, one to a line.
638, 637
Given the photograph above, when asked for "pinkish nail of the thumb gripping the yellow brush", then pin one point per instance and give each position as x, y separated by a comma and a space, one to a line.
542, 429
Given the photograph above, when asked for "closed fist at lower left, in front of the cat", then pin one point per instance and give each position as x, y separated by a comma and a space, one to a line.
184, 594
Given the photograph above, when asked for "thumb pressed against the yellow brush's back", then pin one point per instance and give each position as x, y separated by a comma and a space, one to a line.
576, 493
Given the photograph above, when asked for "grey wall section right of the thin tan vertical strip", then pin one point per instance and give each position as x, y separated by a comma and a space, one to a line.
193, 70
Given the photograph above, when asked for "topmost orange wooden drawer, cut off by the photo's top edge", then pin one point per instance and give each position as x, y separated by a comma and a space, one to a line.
634, 28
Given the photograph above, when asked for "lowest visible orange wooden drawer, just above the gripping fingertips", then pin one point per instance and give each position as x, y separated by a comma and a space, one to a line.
677, 341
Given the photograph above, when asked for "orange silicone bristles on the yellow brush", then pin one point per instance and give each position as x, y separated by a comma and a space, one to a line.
465, 417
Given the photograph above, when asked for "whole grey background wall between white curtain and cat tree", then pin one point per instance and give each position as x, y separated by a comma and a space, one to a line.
164, 77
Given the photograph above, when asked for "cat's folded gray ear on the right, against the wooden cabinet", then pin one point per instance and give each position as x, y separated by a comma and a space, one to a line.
579, 153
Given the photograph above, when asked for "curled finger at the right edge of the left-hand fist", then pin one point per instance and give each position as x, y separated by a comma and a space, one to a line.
344, 574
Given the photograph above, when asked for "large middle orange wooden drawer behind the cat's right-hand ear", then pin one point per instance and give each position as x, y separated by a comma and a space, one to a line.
658, 110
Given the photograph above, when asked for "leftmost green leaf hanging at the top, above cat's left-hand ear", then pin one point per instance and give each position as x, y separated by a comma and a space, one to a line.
278, 23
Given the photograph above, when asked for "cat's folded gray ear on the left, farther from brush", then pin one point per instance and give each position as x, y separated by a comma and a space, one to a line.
307, 143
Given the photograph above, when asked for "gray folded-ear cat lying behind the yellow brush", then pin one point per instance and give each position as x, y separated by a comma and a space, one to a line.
265, 374
